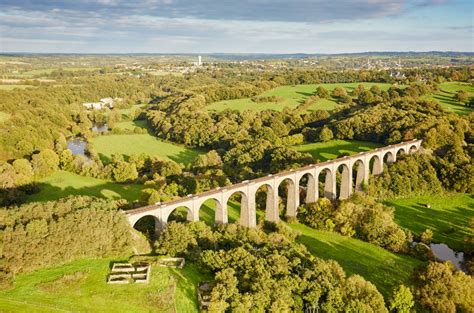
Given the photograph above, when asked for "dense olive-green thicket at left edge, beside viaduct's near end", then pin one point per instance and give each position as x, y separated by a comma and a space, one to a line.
38, 235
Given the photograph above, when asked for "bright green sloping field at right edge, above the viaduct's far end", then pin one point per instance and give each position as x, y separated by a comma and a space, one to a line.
446, 93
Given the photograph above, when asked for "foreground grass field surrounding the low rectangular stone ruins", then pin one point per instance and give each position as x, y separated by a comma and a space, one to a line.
80, 286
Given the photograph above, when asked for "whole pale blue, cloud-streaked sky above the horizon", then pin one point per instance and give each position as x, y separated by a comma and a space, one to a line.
235, 26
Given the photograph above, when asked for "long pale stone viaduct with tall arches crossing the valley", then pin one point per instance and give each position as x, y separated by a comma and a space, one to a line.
355, 171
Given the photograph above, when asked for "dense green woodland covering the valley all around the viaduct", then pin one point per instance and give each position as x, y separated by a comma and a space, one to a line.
262, 269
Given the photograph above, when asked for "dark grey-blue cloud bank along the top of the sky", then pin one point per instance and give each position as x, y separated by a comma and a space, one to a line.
312, 11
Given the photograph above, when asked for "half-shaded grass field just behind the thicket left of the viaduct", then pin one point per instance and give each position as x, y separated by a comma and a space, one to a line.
62, 184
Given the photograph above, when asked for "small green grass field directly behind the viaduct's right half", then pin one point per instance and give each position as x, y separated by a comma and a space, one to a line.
332, 149
